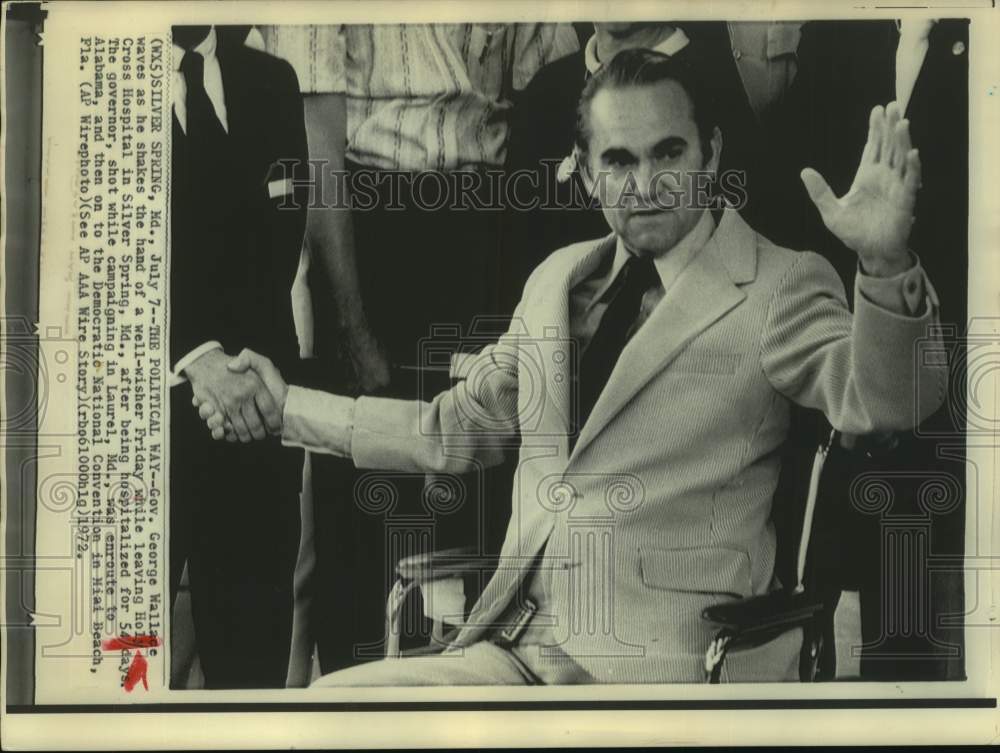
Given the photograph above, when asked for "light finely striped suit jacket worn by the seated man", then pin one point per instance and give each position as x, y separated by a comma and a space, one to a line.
662, 506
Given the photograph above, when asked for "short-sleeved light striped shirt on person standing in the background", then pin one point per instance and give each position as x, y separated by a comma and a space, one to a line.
434, 97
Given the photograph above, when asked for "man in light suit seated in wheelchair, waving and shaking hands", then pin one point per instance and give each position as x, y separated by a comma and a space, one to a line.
649, 379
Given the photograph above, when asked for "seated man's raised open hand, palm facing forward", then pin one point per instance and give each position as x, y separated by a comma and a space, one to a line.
875, 216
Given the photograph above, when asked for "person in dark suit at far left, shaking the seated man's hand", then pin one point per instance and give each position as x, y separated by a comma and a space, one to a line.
235, 243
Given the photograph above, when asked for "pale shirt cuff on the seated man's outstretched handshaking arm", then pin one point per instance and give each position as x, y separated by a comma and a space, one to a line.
318, 422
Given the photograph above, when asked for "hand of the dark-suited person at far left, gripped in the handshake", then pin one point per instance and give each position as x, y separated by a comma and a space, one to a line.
240, 400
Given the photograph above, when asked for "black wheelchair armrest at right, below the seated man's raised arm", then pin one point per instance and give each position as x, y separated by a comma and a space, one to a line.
759, 617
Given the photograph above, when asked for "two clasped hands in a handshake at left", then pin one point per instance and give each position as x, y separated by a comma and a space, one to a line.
240, 399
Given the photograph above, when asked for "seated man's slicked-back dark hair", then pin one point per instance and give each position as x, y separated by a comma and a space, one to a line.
639, 67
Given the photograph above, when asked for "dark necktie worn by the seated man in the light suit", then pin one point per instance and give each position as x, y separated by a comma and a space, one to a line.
638, 276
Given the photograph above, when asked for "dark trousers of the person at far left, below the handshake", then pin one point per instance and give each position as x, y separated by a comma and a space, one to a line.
234, 518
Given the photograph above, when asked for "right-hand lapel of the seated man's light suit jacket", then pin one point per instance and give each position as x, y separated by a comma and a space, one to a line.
701, 295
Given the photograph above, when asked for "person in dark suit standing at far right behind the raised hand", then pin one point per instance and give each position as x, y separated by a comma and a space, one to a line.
844, 68
